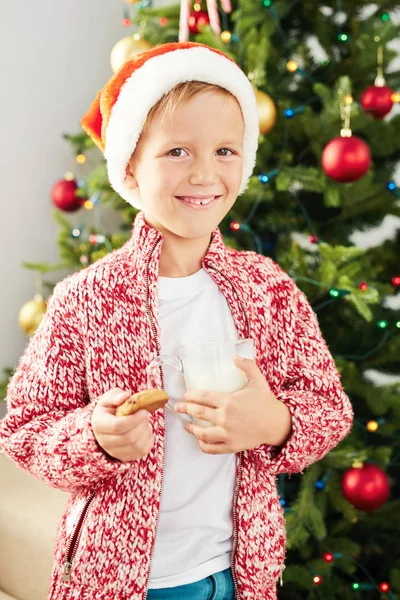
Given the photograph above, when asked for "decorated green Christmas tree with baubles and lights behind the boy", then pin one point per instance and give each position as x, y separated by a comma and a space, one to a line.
326, 169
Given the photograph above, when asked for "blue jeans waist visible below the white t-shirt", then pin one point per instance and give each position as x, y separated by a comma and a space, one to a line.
218, 586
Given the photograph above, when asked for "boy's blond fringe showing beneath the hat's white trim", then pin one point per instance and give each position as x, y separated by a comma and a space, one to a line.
180, 94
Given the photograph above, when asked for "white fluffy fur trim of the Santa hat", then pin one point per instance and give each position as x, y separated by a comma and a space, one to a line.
156, 77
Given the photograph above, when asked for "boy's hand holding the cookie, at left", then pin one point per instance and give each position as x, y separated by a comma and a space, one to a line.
125, 438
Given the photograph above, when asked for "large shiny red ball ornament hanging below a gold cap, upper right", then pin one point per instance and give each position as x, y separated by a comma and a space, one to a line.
346, 159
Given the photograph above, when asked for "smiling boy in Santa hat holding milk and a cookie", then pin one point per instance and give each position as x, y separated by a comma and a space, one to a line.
193, 514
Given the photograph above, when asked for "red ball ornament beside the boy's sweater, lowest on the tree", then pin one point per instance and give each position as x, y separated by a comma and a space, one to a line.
366, 488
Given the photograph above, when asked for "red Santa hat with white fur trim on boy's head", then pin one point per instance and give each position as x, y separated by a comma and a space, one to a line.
117, 116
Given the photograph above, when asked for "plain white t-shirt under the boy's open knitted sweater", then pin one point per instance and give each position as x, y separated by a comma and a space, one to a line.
194, 536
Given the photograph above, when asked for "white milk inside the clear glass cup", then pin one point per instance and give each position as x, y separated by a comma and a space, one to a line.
217, 377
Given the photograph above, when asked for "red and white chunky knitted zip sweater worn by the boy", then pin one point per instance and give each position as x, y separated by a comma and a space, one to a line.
100, 331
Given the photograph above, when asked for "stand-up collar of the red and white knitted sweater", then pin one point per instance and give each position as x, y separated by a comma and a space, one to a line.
145, 243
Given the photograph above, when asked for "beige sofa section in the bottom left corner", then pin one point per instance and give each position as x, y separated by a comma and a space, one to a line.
29, 515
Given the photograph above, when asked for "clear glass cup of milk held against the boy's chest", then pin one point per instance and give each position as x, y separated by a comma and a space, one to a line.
207, 366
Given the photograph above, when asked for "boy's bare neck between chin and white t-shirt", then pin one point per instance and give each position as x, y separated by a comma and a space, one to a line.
181, 257
